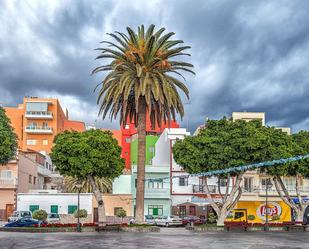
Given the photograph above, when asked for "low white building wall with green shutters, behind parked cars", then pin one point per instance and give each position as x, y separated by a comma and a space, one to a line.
62, 200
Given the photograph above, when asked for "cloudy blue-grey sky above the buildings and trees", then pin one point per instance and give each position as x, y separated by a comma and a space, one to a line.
248, 55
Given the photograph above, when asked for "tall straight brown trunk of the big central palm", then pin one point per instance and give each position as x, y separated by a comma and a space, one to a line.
141, 158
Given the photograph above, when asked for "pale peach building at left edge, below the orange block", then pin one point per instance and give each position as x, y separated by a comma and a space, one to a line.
29, 171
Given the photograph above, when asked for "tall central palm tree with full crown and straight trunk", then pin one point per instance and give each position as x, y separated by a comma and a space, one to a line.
140, 81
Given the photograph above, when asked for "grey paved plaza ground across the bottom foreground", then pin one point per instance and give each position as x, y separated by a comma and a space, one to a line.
167, 238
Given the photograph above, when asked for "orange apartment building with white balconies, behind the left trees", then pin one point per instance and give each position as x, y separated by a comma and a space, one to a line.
37, 121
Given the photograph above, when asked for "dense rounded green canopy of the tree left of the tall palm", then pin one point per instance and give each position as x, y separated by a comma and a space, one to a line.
94, 152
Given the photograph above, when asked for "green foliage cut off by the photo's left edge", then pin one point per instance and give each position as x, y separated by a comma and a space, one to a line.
8, 139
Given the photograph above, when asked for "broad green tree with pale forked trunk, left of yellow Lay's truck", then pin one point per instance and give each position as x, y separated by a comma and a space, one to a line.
224, 144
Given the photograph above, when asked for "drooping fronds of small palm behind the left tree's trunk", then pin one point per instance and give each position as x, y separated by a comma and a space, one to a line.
104, 185
